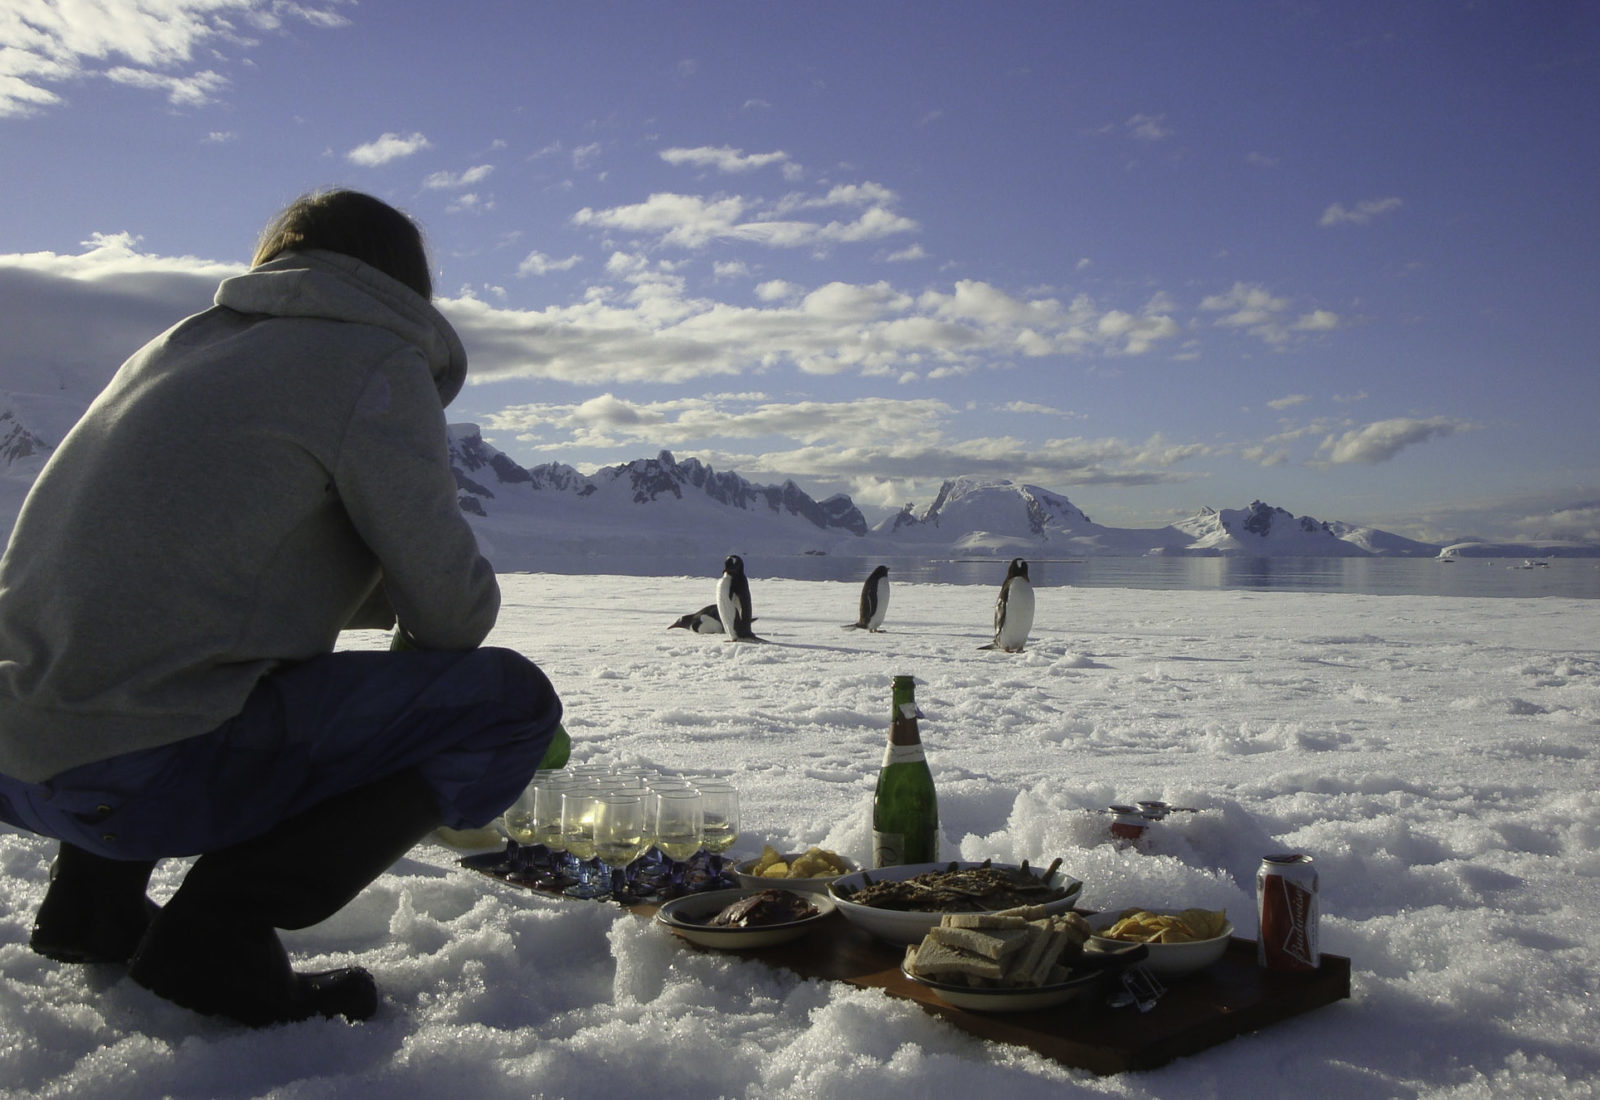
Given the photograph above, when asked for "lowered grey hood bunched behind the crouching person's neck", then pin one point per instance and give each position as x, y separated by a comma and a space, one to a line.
340, 289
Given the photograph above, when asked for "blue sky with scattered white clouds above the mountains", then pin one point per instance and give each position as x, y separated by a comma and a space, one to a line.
1153, 257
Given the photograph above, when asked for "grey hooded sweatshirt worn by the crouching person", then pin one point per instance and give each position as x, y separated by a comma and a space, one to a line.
228, 504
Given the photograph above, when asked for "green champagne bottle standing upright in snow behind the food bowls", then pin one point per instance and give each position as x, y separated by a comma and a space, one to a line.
905, 808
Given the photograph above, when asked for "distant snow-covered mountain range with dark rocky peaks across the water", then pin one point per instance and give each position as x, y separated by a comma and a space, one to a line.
668, 508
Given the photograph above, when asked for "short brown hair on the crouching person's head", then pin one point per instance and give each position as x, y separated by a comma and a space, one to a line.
353, 225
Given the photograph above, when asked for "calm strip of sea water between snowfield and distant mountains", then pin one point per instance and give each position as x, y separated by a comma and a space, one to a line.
1369, 576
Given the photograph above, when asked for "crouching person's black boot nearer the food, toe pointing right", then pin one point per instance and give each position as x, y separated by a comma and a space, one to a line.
215, 949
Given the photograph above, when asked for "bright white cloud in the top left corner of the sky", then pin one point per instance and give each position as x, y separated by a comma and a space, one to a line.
138, 46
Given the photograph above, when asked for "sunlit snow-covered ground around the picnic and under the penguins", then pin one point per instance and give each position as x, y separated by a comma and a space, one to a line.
1436, 755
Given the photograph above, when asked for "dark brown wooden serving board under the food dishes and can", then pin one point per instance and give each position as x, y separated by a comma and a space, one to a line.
1230, 998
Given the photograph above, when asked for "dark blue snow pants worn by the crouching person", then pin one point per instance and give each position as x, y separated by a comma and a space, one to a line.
476, 725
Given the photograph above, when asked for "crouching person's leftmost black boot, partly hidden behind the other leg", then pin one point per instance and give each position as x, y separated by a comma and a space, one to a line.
95, 909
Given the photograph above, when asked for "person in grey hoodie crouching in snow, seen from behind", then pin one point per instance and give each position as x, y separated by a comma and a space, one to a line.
255, 480
